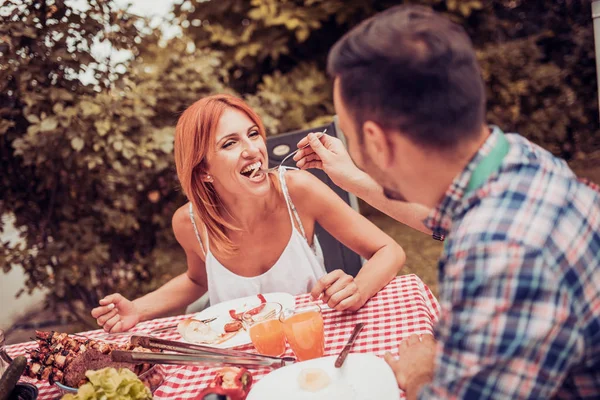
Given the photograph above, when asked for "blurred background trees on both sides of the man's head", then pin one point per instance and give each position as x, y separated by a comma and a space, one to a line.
537, 58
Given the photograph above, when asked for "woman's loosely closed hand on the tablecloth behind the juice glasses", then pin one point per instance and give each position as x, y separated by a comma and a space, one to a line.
339, 291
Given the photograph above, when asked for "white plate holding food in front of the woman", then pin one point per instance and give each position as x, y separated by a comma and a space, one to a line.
221, 312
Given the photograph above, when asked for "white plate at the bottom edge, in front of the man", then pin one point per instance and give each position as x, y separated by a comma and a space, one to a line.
362, 377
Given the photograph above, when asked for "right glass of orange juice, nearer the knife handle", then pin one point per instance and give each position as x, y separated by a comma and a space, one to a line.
303, 328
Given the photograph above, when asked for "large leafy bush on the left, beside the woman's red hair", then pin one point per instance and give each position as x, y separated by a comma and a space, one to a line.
87, 168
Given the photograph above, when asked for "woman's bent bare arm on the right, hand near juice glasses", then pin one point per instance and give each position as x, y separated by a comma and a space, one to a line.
384, 256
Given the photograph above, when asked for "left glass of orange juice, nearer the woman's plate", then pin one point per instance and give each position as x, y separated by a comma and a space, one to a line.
265, 329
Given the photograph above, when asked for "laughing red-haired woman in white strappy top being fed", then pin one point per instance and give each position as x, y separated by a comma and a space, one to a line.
244, 234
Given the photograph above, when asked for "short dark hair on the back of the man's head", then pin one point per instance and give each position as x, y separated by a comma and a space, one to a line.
411, 69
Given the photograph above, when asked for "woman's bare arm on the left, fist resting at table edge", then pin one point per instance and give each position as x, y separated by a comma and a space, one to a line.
117, 314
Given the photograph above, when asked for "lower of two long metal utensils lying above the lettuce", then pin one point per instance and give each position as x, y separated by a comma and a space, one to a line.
137, 357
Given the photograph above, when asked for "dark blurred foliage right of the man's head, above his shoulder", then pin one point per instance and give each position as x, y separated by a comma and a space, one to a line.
538, 62
